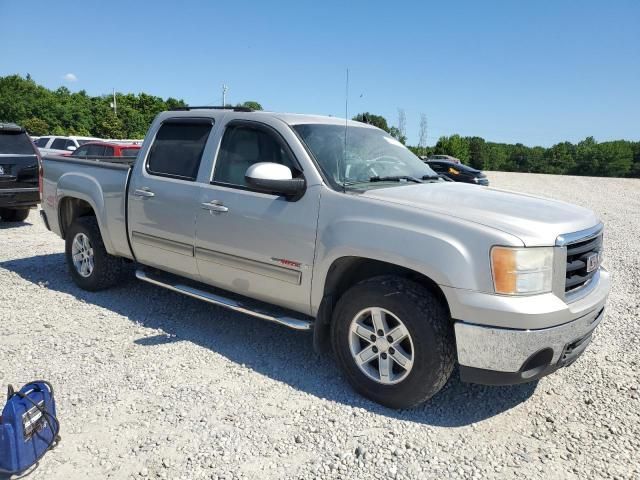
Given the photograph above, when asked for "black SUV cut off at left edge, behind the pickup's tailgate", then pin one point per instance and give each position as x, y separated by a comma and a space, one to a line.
19, 173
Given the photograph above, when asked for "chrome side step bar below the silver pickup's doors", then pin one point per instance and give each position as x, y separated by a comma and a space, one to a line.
260, 312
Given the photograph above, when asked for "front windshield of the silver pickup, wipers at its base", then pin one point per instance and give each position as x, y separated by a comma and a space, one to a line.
372, 157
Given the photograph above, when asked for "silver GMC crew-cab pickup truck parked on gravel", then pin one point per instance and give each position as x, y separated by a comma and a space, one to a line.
332, 226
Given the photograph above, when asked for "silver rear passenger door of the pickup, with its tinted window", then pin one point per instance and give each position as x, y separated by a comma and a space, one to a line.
164, 196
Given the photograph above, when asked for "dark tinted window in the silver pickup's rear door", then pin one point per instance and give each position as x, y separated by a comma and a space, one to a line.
177, 149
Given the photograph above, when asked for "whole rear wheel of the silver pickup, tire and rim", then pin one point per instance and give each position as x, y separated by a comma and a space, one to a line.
91, 267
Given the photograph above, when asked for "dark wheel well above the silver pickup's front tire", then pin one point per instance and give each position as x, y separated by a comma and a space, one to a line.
347, 271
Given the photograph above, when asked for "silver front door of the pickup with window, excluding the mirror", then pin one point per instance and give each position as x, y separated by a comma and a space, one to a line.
256, 244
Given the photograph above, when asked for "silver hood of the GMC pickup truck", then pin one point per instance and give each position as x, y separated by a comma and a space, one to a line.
536, 221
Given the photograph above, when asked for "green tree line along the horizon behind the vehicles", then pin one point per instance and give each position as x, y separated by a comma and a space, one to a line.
60, 112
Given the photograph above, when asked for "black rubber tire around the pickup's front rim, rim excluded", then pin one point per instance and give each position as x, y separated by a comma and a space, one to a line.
429, 326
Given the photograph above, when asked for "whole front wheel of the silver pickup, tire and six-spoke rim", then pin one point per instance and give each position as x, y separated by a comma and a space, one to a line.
393, 340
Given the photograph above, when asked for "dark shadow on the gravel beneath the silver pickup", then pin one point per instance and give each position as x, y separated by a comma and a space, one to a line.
269, 349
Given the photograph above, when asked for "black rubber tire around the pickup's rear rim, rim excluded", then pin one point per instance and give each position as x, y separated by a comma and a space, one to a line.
107, 269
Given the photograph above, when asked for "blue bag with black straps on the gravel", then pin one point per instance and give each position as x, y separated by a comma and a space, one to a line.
28, 427
